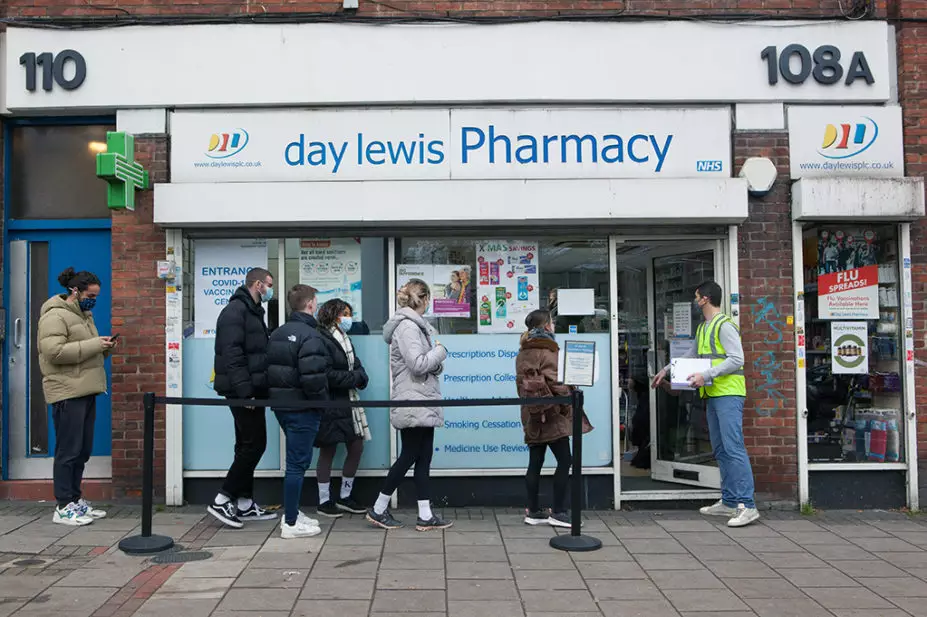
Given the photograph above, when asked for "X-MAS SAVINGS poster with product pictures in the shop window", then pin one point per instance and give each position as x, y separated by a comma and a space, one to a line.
507, 284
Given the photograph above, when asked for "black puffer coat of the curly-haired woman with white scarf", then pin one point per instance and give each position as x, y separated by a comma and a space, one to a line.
338, 424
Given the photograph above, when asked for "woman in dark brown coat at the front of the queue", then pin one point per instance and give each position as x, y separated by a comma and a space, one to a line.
545, 425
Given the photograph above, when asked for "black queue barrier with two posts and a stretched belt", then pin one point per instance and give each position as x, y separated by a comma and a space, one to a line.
148, 543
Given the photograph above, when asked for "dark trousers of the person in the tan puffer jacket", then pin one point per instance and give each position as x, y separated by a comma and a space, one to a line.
73, 419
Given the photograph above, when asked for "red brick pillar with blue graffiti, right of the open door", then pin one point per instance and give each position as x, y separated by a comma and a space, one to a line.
766, 293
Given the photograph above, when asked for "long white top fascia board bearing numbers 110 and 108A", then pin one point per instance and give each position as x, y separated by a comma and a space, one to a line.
331, 64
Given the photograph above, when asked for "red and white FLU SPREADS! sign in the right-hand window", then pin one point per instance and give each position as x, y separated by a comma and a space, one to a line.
849, 294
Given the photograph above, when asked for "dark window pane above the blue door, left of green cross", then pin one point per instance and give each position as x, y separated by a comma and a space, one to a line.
52, 172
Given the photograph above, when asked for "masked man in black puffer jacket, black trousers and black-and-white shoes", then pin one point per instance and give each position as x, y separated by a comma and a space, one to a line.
241, 373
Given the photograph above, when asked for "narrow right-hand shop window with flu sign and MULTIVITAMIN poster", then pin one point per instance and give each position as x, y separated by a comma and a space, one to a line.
853, 345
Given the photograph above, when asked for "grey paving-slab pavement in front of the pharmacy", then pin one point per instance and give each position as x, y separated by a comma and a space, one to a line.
653, 564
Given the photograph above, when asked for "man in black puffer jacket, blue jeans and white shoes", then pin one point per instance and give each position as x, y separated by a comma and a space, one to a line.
297, 370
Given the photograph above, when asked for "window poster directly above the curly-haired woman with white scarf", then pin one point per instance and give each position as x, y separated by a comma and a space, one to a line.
333, 267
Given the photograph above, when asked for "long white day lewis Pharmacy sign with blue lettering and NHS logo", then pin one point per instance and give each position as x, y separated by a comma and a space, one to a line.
444, 144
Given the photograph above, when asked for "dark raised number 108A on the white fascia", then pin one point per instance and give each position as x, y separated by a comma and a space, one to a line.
823, 65
